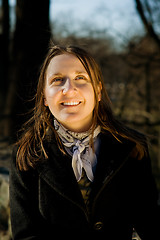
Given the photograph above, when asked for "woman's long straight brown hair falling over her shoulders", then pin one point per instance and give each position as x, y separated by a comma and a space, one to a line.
31, 143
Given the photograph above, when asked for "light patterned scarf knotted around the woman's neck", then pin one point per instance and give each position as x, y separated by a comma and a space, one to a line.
77, 145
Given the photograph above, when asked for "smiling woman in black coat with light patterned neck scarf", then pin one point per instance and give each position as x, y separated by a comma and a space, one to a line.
76, 170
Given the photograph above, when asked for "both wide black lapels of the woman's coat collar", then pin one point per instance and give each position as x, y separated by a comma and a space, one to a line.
57, 170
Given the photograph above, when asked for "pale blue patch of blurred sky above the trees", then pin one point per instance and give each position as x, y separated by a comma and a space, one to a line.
118, 18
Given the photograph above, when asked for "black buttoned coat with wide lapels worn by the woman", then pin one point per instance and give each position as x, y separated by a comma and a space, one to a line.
46, 202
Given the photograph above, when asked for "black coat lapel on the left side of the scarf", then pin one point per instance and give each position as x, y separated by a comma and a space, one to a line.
57, 172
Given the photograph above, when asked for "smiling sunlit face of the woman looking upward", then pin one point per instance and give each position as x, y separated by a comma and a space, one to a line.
69, 93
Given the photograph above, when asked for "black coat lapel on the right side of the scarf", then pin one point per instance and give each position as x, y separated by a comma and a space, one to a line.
112, 155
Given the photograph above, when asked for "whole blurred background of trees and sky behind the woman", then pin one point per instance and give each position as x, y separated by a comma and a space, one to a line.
123, 36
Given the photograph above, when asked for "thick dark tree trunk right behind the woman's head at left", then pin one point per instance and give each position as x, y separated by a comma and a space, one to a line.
30, 45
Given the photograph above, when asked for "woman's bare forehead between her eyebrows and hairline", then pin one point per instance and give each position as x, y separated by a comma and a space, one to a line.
64, 63
